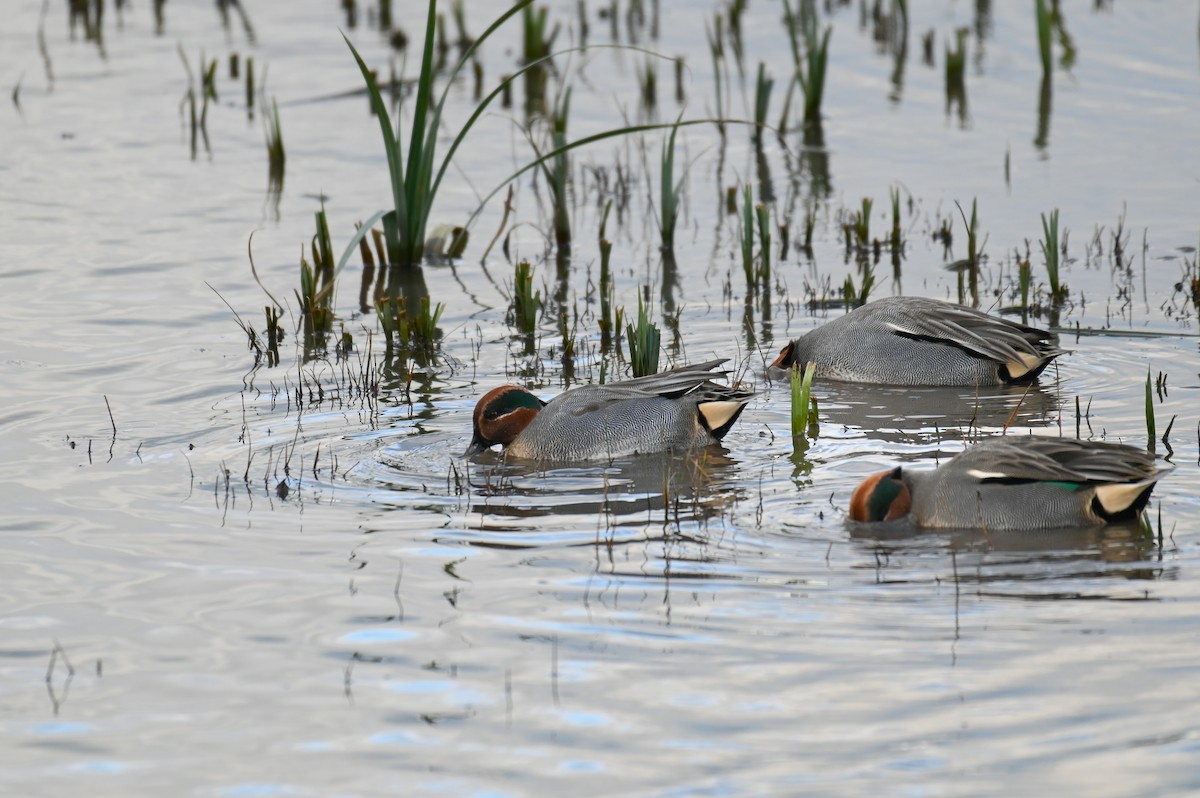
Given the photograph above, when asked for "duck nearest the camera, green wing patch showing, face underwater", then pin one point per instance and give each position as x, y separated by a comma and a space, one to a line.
1017, 483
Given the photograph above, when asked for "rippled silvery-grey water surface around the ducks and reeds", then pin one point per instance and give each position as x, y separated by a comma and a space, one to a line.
254, 590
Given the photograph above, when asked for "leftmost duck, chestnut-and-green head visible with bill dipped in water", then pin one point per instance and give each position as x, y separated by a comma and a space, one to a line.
680, 410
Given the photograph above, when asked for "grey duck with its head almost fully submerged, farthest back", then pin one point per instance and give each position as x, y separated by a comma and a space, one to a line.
921, 341
